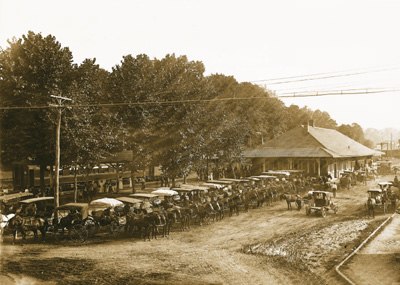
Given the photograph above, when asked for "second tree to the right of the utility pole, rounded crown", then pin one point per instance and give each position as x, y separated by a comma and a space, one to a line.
131, 83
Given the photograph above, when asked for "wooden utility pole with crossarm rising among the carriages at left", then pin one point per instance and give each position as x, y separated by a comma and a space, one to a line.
59, 106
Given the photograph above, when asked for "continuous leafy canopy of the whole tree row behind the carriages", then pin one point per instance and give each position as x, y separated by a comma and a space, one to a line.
167, 111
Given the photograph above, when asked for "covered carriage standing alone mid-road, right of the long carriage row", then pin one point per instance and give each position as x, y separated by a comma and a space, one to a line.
320, 202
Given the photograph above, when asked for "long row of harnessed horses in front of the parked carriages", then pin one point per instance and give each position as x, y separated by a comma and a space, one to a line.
158, 220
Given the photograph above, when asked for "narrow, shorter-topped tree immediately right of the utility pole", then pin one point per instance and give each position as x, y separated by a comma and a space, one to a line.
89, 132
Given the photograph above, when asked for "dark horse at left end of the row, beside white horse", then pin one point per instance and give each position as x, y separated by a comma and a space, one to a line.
23, 224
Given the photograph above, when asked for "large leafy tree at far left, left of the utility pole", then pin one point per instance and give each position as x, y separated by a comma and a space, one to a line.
31, 69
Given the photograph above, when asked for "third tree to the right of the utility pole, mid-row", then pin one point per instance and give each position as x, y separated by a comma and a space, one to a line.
174, 121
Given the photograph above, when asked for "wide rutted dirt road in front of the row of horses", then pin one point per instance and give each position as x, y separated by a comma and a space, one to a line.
269, 245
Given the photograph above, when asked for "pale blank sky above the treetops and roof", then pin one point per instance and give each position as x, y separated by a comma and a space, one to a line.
252, 40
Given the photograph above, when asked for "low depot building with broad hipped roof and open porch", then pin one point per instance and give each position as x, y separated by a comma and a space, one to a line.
316, 151
